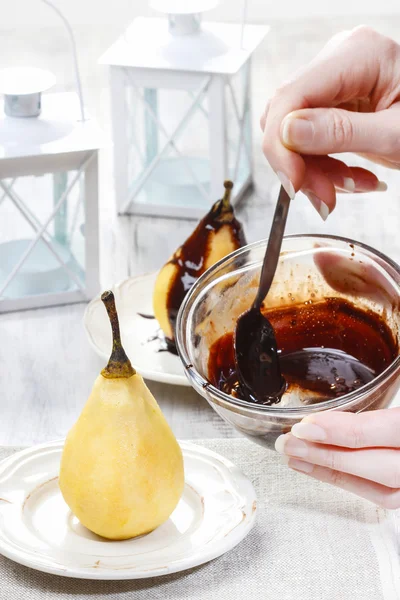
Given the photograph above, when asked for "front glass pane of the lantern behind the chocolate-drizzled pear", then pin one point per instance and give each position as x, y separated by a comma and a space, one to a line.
168, 149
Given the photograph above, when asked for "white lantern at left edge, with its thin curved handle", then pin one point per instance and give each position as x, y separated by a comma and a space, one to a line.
49, 237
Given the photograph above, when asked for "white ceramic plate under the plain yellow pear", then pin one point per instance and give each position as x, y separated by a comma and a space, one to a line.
37, 529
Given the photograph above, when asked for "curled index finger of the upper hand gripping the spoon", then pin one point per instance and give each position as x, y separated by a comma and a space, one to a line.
343, 71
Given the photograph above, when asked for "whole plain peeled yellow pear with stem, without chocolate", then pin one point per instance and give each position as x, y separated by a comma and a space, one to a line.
121, 469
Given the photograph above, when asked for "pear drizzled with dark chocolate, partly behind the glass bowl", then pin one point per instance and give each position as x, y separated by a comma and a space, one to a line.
219, 233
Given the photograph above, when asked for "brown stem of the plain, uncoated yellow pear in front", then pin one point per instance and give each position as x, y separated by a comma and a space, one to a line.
119, 366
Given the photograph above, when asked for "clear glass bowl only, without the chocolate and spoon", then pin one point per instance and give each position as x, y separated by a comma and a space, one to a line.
311, 268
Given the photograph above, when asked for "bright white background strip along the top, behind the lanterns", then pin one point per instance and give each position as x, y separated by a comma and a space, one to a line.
32, 12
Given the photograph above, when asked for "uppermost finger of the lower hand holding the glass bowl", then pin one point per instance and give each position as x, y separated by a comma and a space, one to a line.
376, 428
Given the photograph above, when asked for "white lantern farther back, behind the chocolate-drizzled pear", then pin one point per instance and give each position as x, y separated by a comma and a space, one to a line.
180, 96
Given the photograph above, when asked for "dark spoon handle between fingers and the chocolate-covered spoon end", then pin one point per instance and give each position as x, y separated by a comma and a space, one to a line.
272, 252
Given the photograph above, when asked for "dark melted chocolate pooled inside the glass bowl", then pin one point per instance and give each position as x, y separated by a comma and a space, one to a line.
326, 350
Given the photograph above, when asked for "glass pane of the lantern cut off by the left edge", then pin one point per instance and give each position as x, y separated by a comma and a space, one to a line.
26, 205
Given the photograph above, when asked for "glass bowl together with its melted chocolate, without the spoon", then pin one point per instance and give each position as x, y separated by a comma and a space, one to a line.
334, 306
